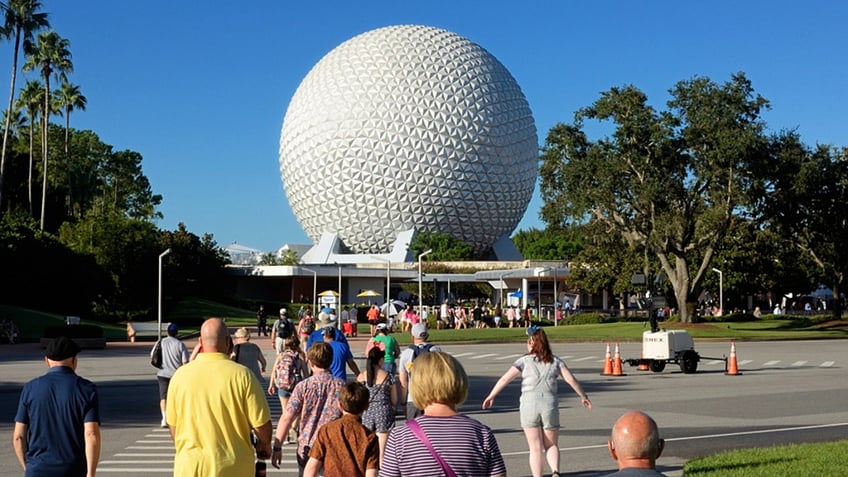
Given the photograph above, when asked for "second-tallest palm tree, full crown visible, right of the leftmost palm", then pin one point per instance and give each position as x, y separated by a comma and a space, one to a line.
51, 57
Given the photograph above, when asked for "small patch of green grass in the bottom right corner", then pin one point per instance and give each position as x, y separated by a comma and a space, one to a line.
821, 460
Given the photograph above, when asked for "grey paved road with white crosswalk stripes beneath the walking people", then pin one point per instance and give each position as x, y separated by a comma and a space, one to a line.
788, 392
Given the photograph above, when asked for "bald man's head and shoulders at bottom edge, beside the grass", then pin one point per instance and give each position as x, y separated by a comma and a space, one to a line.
635, 445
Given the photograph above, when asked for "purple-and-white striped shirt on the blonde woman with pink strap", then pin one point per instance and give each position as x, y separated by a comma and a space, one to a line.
468, 446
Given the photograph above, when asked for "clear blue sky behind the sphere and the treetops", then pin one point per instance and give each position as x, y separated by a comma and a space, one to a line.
200, 88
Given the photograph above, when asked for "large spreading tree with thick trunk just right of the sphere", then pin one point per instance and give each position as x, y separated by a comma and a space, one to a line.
670, 182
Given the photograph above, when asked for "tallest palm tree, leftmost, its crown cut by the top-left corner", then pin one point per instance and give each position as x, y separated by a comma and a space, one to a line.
22, 20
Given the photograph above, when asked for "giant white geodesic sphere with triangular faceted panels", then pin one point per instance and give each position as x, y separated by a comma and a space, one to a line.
408, 127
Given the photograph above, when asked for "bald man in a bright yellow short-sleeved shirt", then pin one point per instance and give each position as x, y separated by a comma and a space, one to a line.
214, 404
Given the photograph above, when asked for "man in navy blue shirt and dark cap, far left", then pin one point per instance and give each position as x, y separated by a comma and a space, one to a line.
57, 425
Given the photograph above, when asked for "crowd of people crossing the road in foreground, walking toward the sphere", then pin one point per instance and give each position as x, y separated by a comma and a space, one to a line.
332, 425
